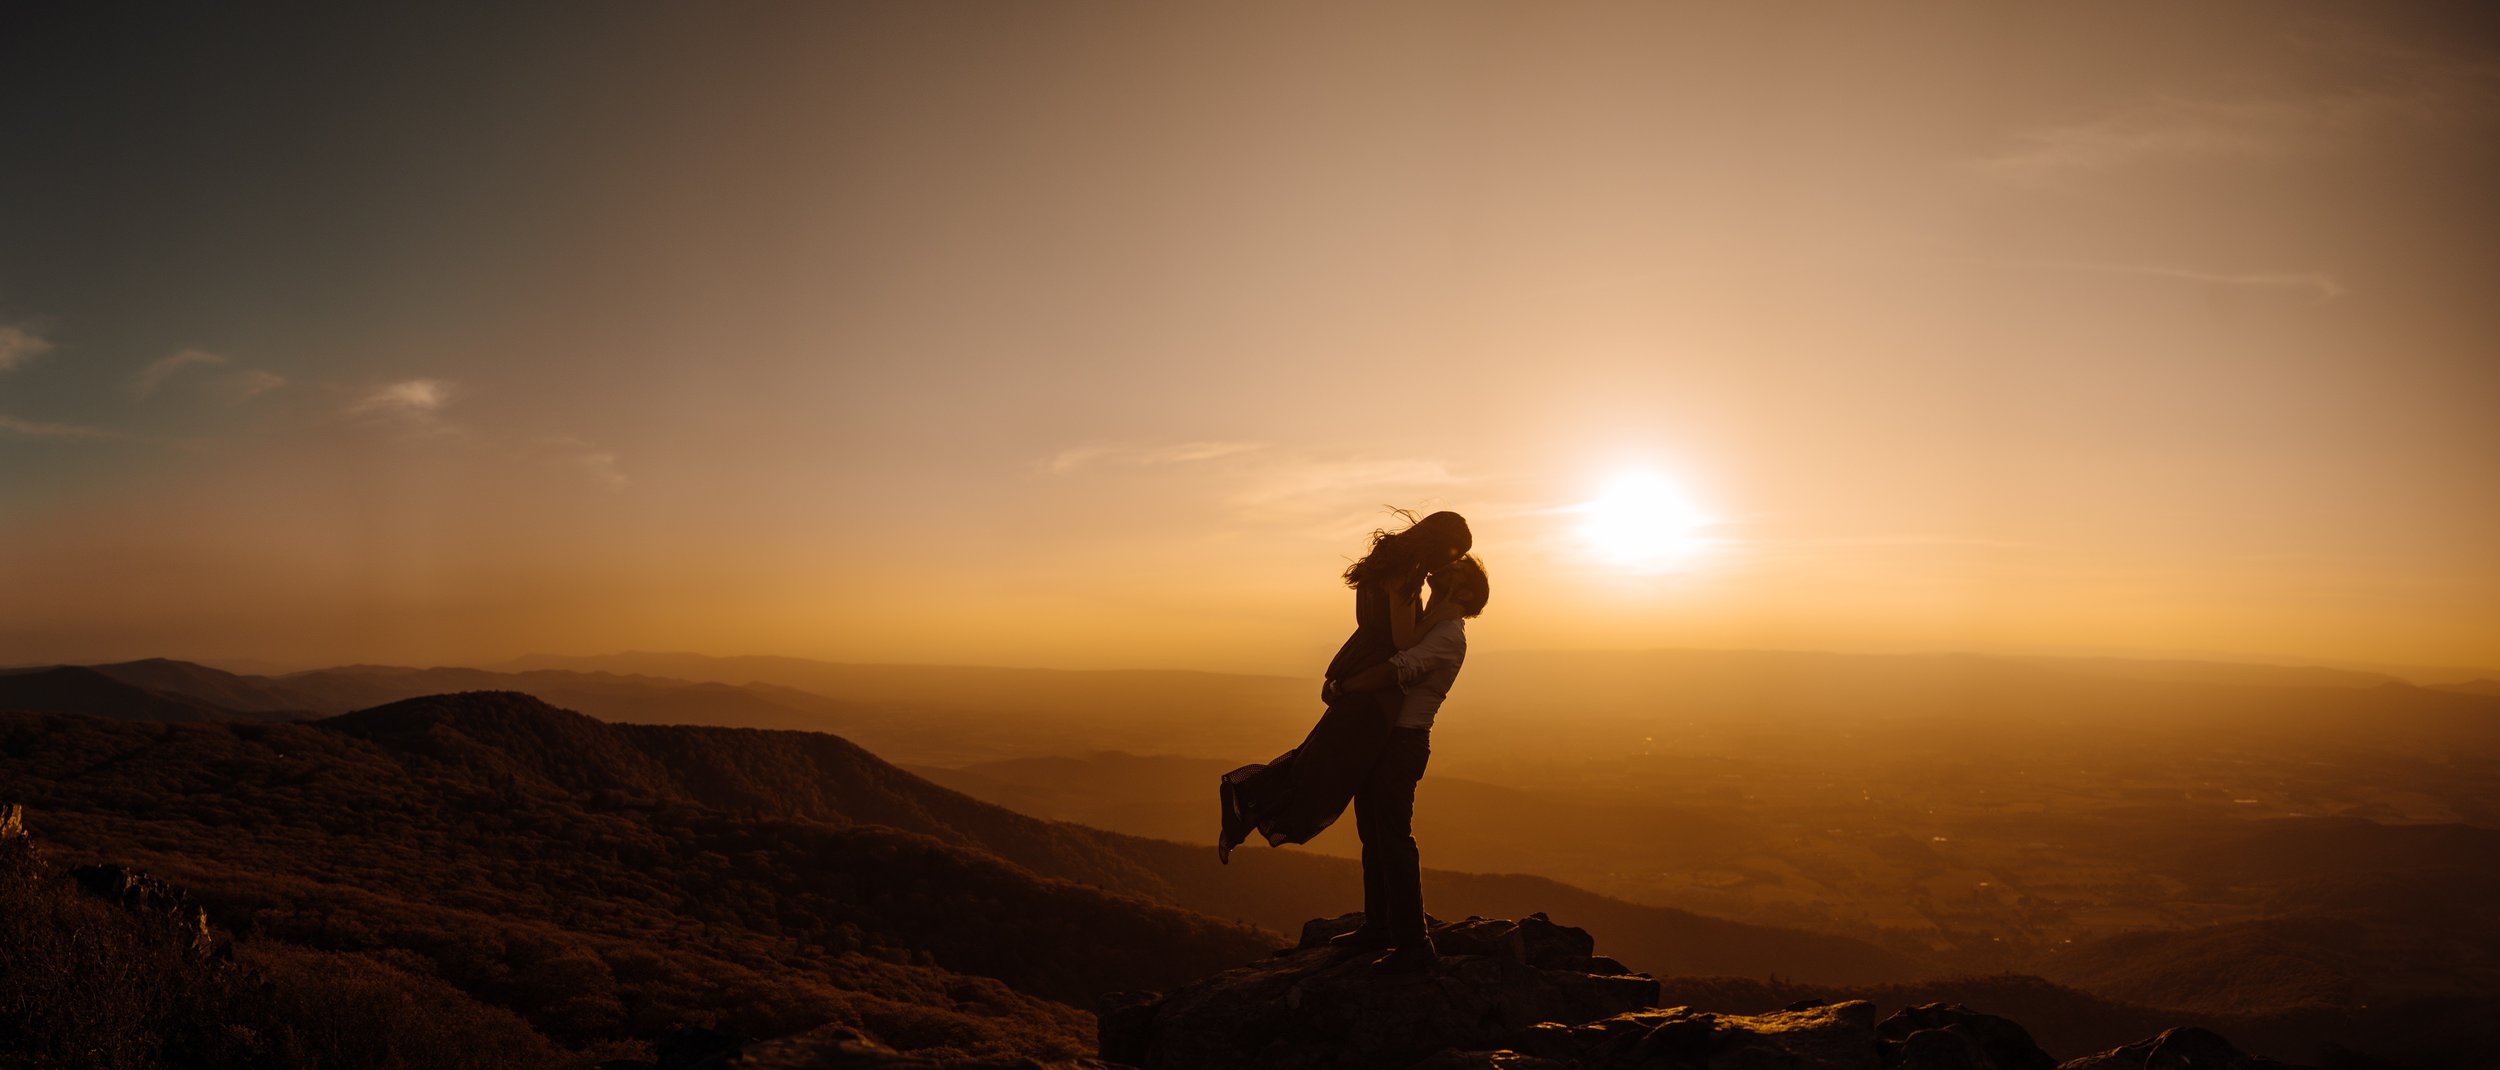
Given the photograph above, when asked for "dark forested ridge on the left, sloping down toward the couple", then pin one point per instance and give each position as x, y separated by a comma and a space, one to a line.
584, 906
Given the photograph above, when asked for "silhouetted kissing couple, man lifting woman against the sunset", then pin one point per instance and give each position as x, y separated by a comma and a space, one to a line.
1376, 736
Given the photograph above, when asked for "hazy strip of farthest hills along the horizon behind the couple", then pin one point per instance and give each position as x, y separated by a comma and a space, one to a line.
951, 716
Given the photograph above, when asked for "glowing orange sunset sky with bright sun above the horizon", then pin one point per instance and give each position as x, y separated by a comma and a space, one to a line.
1096, 336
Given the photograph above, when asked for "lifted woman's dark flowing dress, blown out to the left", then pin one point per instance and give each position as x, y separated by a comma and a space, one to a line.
1309, 789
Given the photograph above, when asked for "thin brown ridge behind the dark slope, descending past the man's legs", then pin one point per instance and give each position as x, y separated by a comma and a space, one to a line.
826, 779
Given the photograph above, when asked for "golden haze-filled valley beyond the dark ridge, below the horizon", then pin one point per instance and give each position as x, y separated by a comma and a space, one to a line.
2284, 836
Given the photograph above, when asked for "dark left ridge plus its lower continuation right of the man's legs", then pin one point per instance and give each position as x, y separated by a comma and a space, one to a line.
621, 881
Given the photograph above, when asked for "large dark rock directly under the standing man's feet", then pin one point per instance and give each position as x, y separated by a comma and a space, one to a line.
1311, 1006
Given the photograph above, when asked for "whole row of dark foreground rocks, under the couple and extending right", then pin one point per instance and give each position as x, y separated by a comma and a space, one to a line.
1534, 996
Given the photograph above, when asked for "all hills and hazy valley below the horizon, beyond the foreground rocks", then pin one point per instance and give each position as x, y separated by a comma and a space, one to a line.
2329, 834
